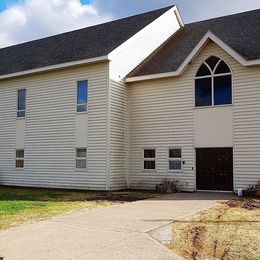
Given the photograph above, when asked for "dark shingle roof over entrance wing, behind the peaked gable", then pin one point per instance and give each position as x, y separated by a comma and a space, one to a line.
241, 32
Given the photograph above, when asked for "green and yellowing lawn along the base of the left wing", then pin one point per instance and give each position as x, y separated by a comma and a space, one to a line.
20, 205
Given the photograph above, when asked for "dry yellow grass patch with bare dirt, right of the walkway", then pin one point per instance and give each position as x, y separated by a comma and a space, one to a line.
228, 231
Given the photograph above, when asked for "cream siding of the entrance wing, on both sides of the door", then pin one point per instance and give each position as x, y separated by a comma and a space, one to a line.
162, 115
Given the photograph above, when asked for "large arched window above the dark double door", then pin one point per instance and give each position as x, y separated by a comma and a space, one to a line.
213, 83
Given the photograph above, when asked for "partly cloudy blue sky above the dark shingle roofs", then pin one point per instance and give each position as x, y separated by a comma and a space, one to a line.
24, 20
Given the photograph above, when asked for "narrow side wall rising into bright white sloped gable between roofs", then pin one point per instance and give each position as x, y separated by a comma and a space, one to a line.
123, 60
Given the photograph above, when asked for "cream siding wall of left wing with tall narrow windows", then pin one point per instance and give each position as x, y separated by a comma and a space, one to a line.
50, 129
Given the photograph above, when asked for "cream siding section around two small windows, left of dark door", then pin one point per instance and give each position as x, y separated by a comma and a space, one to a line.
161, 116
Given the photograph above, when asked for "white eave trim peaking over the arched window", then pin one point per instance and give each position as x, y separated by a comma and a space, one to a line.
208, 36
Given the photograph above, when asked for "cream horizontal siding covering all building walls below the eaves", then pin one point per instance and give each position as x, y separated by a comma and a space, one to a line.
121, 121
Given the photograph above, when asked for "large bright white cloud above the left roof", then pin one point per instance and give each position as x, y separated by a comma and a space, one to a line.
32, 19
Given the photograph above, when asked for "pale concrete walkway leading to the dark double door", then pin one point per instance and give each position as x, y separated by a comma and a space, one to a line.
115, 232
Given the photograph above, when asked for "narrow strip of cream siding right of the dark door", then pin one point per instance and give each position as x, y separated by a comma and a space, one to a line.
246, 125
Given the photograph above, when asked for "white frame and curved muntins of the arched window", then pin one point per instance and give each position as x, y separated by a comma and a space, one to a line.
212, 76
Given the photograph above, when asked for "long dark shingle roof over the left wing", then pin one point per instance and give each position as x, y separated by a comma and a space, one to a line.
90, 42
